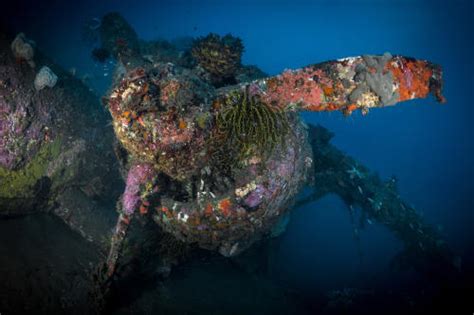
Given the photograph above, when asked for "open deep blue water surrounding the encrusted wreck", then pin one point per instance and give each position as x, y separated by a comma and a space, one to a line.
428, 146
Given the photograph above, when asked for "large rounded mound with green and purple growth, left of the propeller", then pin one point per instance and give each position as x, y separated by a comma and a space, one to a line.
50, 148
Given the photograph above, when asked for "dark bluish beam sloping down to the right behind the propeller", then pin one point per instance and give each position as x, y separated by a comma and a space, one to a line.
379, 202
